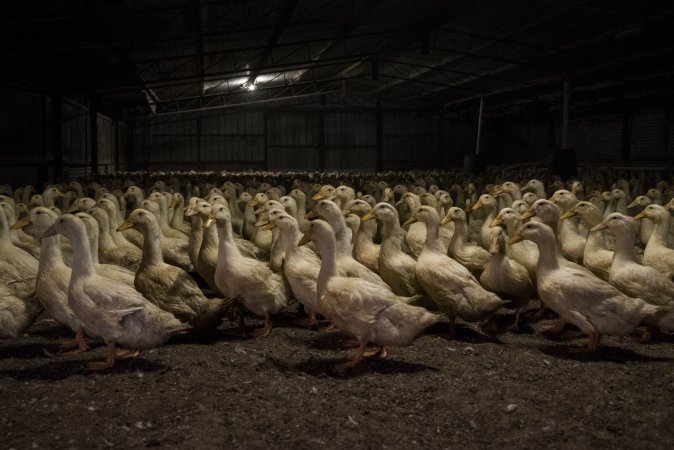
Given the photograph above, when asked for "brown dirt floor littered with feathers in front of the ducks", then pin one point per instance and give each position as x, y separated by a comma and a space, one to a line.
223, 391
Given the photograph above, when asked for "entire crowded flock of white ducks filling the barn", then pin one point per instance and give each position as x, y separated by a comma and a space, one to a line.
136, 258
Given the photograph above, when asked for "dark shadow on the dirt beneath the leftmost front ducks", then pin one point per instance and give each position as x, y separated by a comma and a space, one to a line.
65, 368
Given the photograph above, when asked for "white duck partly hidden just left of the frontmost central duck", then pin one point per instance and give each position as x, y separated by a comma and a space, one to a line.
300, 266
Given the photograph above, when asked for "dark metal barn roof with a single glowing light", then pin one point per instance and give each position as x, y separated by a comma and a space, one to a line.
168, 56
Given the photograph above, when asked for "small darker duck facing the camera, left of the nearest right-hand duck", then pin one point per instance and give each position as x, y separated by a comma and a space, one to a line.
507, 278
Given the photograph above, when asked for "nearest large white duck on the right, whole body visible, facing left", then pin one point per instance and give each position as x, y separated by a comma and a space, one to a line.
581, 298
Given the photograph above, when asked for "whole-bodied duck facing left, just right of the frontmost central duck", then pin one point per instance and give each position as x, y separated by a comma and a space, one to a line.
449, 284
